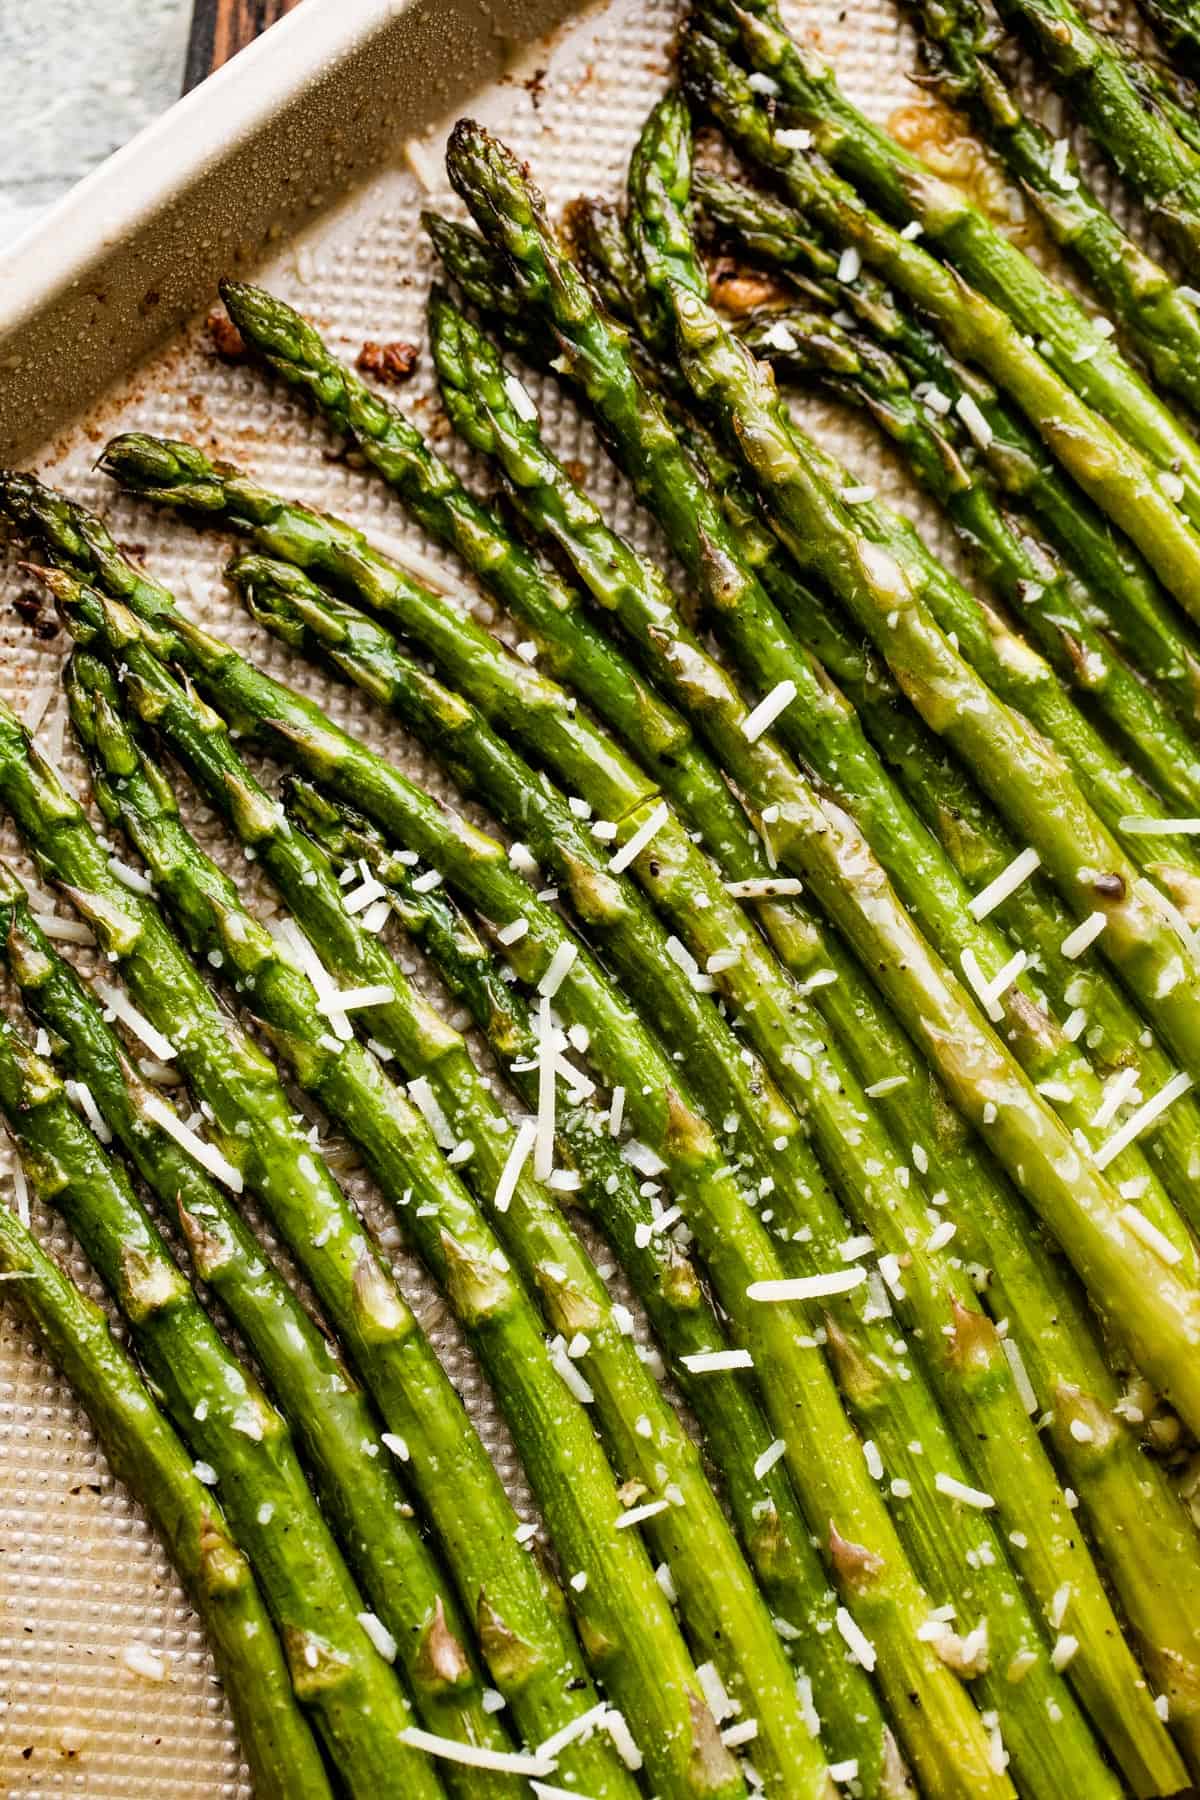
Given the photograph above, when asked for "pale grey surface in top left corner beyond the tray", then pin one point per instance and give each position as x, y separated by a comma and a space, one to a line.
76, 82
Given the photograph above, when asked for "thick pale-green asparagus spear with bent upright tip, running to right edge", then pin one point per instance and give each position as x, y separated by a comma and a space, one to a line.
884, 589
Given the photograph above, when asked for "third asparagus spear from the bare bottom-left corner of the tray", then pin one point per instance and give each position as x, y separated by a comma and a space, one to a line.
336, 1425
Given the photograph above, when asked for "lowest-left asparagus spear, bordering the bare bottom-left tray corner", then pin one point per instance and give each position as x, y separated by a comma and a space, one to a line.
147, 1455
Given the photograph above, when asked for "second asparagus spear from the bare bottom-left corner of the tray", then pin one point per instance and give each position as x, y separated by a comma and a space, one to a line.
240, 1441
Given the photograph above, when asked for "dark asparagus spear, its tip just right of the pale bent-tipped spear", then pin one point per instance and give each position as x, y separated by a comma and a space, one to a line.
1131, 602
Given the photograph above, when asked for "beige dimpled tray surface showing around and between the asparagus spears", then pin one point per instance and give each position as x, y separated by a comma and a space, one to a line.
82, 1578
